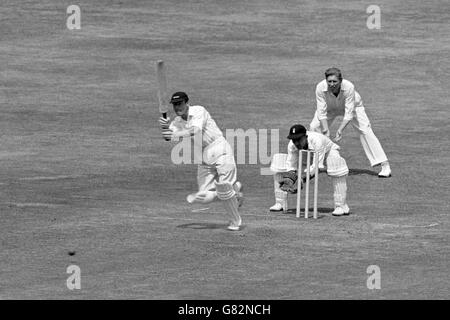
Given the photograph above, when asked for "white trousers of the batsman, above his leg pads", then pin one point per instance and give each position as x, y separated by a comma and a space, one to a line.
218, 165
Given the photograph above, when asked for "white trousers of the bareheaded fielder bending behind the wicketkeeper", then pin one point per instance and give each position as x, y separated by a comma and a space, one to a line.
371, 145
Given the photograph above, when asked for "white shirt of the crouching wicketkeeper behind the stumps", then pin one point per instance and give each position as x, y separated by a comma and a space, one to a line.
316, 142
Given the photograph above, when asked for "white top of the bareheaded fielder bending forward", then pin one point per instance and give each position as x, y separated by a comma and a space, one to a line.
344, 104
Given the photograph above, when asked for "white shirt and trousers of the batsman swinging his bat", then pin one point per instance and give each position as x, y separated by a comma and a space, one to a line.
217, 156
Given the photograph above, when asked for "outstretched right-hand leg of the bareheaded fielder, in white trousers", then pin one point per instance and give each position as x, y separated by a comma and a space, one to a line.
371, 145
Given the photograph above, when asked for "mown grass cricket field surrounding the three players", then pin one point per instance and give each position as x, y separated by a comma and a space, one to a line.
83, 167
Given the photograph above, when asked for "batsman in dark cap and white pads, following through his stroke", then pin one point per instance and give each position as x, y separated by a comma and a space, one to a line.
216, 175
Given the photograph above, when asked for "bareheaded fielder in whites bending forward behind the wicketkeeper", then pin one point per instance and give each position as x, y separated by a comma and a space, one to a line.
336, 96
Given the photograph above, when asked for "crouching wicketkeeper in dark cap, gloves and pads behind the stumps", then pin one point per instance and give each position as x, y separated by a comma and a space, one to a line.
285, 168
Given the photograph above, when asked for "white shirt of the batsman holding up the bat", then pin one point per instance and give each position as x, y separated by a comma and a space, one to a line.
200, 118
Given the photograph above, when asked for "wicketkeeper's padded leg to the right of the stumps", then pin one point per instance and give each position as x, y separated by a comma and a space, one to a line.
337, 169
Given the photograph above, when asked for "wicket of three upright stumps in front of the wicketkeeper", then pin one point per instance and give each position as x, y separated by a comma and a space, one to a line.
308, 174
